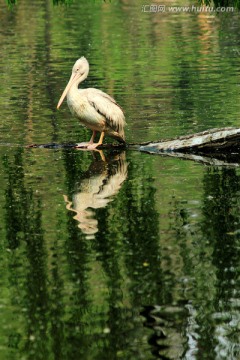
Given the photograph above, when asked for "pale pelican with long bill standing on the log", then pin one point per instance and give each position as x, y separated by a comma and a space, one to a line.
94, 108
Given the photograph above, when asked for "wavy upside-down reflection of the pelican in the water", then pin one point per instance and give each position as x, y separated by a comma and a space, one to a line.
97, 188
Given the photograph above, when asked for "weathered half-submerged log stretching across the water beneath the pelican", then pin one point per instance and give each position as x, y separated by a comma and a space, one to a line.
221, 145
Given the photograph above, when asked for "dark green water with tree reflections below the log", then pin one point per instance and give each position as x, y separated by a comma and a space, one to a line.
146, 278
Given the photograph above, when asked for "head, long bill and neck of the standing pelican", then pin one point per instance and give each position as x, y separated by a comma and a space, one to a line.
79, 73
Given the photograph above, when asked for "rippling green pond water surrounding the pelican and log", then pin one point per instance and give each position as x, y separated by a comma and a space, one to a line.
117, 255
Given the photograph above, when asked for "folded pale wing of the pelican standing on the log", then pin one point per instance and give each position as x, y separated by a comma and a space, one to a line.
108, 107
